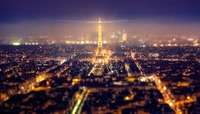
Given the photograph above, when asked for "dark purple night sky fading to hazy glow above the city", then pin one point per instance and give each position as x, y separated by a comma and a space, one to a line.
51, 17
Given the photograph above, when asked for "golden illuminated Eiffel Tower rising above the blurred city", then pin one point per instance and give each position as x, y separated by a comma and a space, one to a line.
99, 55
